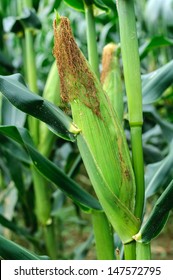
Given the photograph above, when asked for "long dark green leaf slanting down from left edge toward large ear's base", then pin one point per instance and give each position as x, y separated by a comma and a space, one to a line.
50, 170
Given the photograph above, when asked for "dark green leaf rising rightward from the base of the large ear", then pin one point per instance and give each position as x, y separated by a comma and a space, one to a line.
157, 218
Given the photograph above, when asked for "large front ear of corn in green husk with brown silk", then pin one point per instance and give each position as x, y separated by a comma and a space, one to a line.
101, 142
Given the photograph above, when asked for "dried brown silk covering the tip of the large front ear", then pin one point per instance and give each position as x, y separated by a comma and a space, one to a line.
72, 68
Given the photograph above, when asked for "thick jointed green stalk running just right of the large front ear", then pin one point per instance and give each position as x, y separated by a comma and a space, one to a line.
131, 64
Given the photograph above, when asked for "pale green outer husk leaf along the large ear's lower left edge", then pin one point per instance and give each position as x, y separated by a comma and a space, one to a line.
122, 220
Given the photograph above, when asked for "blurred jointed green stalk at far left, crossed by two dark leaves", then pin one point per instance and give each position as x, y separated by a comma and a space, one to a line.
42, 195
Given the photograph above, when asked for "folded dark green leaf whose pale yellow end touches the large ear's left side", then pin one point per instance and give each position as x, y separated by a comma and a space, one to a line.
14, 89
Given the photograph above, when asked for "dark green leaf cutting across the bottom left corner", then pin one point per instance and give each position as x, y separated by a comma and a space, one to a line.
12, 251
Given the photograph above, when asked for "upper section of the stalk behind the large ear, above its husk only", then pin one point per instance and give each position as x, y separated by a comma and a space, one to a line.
91, 38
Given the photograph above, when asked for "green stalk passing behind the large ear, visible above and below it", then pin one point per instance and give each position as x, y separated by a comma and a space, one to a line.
102, 229
